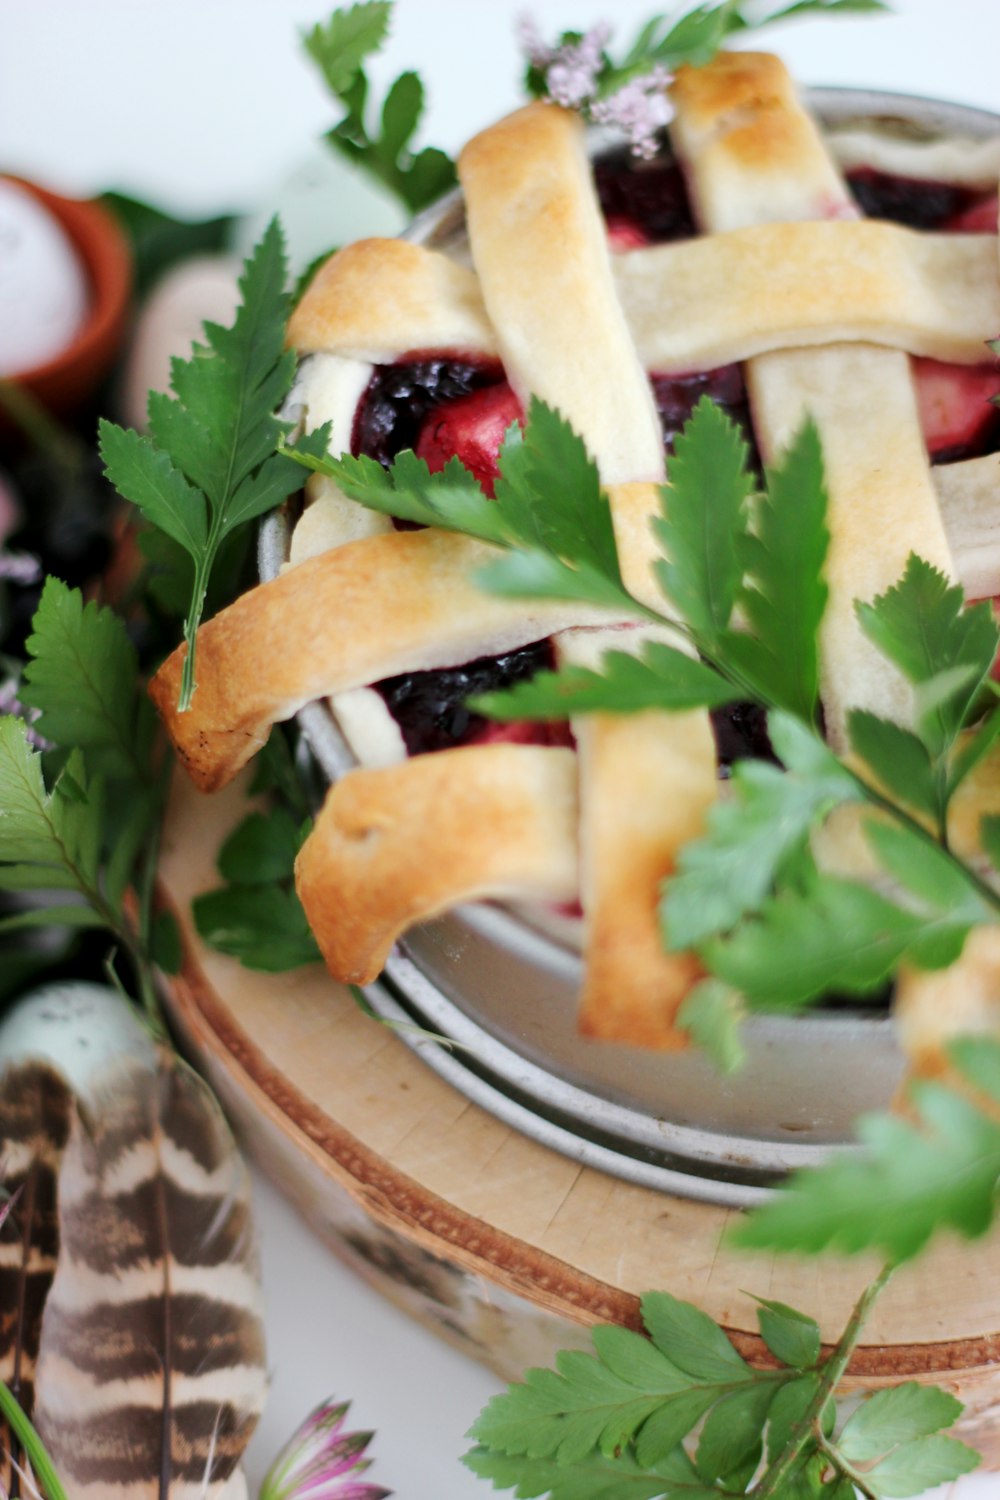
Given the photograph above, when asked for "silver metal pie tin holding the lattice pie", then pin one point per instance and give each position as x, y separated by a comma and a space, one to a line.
504, 992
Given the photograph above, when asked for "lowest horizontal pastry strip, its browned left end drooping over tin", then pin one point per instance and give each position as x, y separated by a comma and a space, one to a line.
504, 826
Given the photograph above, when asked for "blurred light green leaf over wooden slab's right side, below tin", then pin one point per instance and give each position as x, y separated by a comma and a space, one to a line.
918, 1175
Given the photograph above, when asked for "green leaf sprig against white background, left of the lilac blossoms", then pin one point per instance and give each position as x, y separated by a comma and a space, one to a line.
341, 47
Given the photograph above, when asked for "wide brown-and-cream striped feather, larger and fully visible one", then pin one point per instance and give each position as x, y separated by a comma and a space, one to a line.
151, 1372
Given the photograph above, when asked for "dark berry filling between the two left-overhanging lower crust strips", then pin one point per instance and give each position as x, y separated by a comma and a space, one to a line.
431, 709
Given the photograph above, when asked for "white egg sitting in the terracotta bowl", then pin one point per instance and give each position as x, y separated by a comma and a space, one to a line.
44, 293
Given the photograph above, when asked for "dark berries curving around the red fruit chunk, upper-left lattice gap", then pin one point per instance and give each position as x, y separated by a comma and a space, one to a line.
400, 397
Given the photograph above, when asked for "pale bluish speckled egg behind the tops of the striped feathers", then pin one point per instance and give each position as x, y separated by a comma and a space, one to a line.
79, 1030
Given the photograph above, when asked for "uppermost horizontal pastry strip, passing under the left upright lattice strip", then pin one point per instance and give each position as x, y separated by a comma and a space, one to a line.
714, 301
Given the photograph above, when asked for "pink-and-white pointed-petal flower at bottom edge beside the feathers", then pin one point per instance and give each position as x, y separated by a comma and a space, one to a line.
323, 1462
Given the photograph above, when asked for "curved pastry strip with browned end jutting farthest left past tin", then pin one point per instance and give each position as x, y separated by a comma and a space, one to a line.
370, 610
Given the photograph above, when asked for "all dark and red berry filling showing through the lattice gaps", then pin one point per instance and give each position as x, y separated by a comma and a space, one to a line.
446, 406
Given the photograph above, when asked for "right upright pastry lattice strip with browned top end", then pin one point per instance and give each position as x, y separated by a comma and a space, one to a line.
740, 128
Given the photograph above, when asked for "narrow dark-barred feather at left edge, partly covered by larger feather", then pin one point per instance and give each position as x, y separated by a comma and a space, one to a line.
35, 1117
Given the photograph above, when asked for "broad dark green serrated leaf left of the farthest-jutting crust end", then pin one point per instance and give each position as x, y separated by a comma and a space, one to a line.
83, 679
